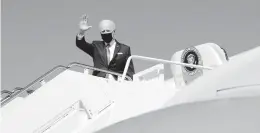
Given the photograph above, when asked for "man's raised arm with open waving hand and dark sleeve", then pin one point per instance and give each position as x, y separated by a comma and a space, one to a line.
80, 39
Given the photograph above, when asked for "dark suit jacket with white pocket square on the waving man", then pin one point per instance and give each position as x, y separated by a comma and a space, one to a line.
97, 51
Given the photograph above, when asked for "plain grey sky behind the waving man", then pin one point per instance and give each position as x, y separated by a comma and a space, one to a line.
38, 35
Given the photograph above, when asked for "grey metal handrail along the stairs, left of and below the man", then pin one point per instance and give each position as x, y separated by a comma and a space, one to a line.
17, 91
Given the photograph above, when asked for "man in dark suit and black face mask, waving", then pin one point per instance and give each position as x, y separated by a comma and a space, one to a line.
108, 54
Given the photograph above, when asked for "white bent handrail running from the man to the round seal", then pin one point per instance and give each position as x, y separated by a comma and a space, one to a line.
160, 61
